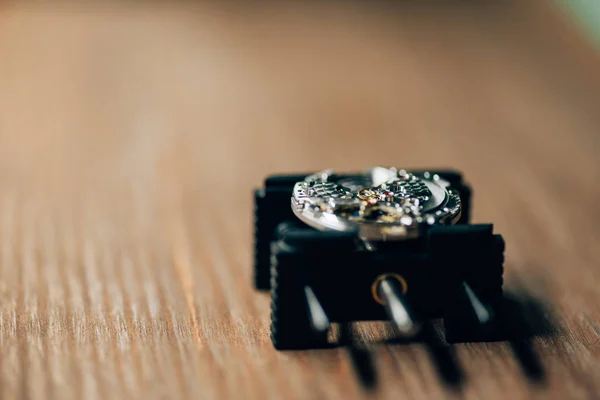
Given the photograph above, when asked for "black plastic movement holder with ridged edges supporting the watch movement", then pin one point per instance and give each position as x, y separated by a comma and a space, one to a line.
290, 256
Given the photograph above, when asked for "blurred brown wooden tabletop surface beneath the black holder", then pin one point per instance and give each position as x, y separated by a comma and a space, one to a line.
132, 134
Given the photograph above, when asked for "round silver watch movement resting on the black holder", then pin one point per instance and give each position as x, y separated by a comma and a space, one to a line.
381, 204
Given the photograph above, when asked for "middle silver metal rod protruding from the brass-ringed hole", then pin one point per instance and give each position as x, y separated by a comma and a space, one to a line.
396, 308
